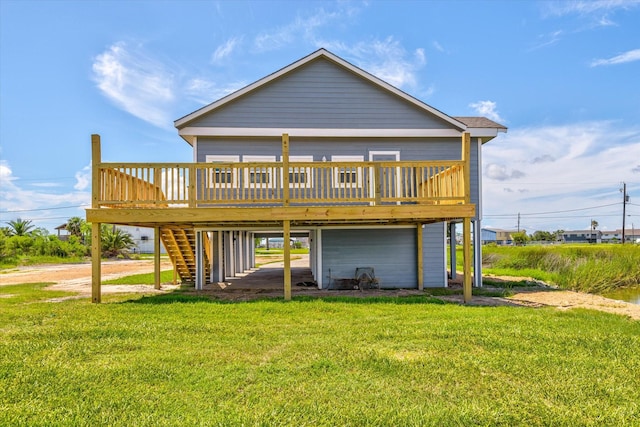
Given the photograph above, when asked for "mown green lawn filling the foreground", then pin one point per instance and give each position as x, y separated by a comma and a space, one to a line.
180, 360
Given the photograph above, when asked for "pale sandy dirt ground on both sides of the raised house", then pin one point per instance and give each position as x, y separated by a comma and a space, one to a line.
77, 278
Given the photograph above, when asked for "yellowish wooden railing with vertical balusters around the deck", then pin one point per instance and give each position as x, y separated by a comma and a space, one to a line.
263, 184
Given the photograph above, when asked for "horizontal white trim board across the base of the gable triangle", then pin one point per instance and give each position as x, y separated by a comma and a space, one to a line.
318, 132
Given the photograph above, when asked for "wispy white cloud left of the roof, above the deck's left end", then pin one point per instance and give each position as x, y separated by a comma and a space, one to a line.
135, 82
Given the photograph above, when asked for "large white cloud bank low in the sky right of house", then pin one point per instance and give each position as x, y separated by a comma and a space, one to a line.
559, 169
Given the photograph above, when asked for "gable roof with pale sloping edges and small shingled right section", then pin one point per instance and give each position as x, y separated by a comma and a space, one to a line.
484, 127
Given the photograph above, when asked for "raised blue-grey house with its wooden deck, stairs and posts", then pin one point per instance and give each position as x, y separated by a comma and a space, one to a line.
372, 175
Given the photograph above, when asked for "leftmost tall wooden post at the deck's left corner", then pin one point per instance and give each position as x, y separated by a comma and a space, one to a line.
96, 247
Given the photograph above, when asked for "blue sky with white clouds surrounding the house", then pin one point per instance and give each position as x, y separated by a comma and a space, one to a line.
564, 77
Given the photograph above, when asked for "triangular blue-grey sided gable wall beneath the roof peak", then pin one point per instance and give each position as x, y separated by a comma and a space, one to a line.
321, 94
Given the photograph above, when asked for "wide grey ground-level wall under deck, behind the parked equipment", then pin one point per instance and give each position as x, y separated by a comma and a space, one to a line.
344, 250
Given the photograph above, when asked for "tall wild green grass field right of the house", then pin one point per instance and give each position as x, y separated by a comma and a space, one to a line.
588, 268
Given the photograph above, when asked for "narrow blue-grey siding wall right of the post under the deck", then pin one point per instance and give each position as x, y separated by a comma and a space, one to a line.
435, 262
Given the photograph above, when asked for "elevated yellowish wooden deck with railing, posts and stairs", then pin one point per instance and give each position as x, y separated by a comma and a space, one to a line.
176, 199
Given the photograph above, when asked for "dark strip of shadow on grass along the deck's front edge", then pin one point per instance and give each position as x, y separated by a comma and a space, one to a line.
181, 297
